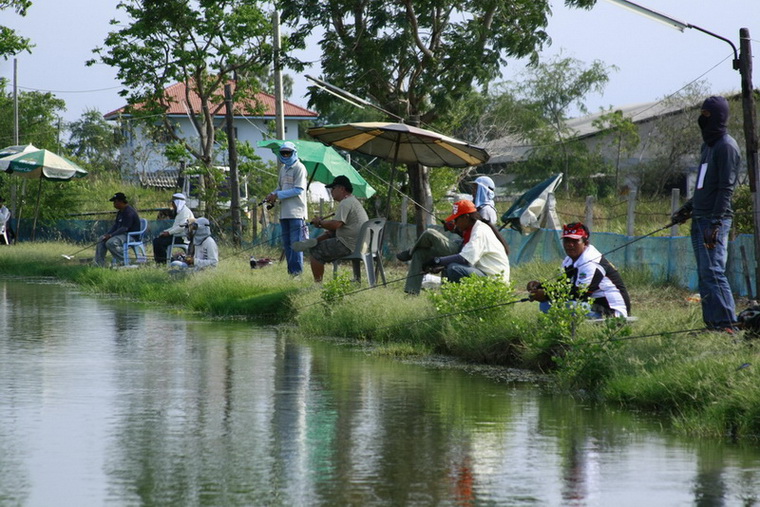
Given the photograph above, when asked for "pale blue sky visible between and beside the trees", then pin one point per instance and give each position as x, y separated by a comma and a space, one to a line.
653, 60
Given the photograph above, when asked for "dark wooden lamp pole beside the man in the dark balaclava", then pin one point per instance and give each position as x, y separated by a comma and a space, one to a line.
750, 138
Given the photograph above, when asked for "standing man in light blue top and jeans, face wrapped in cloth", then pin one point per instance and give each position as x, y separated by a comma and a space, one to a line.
291, 192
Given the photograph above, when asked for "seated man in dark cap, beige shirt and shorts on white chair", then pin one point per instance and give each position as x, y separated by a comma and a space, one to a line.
341, 233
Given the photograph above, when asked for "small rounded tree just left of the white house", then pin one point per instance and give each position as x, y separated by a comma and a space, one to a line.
92, 139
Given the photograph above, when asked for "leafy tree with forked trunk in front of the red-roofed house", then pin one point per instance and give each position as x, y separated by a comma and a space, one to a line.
202, 44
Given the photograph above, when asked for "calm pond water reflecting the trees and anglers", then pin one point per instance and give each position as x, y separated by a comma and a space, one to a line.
107, 402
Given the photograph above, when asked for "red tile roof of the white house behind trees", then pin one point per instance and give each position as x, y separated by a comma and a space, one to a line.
176, 94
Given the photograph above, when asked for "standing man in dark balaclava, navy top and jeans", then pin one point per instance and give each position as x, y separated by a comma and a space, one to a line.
711, 213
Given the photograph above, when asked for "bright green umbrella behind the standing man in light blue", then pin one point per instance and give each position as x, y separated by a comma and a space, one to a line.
323, 164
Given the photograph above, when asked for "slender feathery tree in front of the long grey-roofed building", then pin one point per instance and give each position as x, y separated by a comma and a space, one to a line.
554, 86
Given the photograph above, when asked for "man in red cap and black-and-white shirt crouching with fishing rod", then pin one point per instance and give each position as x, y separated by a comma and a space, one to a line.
595, 279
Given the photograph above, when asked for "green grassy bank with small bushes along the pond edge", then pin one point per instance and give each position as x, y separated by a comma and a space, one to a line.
706, 383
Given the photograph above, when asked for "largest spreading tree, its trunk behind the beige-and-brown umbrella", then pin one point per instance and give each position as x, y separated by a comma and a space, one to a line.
417, 58
